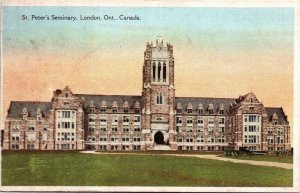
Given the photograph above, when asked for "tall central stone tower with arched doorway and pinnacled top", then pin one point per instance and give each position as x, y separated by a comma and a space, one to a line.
158, 95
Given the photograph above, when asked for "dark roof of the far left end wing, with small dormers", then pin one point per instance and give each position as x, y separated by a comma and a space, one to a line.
15, 108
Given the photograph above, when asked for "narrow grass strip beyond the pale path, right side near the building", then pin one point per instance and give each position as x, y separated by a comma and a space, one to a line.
270, 158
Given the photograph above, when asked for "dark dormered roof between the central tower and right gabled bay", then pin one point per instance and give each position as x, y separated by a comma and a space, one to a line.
195, 101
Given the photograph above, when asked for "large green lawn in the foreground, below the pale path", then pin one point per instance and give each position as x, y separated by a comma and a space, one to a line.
69, 169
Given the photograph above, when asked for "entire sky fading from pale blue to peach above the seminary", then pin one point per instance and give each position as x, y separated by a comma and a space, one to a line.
219, 52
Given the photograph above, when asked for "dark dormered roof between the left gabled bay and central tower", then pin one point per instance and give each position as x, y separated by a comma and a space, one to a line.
110, 99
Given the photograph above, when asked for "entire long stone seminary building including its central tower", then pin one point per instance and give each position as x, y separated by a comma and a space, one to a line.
156, 120
